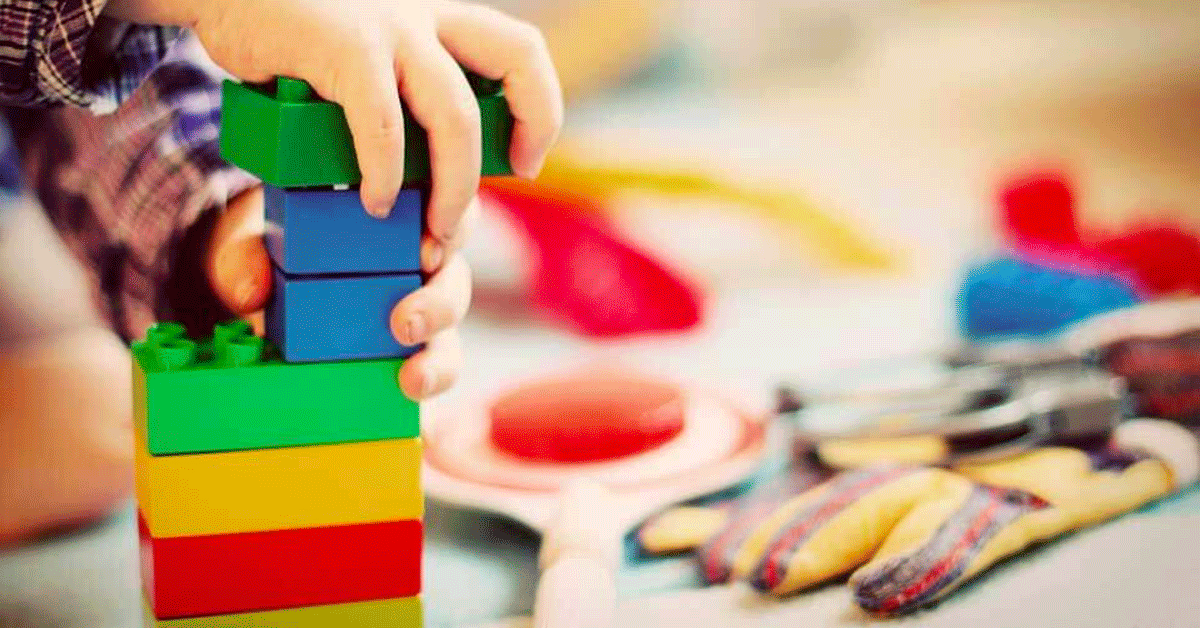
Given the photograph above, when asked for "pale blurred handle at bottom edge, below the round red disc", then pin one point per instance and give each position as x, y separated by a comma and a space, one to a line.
580, 557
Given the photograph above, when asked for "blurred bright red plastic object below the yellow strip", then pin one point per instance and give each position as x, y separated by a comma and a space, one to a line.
587, 276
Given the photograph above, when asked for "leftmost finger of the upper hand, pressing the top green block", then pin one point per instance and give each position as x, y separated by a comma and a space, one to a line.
364, 83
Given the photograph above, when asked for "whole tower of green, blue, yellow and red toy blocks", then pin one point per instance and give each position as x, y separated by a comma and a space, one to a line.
279, 479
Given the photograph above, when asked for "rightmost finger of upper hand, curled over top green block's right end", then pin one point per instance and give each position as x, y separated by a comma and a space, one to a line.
501, 47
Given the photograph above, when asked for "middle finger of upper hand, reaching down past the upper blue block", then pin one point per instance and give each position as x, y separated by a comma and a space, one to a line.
442, 103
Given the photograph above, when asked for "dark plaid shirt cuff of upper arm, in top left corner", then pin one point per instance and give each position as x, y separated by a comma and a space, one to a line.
64, 52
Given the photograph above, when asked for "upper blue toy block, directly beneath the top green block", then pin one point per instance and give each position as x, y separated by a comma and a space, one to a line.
326, 231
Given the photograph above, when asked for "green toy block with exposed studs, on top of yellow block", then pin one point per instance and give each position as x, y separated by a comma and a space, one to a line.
232, 392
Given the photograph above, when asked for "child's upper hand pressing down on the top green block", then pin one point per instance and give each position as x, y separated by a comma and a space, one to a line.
357, 52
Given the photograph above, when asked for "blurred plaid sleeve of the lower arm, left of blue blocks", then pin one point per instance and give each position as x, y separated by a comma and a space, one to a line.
130, 190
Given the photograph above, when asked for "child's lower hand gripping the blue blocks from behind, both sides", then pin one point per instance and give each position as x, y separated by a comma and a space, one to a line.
239, 271
